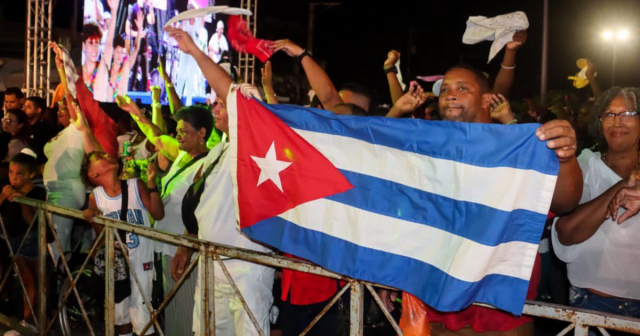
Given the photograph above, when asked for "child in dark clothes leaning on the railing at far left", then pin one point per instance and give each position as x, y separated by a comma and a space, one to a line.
17, 218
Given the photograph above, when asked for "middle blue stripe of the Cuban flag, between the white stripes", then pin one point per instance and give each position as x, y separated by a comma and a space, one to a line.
458, 217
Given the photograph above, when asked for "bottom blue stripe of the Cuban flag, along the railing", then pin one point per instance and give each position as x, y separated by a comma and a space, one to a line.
433, 286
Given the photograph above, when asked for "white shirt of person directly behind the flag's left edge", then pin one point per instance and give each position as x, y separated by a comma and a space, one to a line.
216, 212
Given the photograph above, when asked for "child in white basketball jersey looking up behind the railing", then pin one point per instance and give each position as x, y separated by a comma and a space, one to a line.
100, 170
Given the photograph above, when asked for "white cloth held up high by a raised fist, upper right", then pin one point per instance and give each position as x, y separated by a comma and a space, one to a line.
499, 29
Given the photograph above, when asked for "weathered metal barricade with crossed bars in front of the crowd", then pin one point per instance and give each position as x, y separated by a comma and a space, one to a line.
209, 253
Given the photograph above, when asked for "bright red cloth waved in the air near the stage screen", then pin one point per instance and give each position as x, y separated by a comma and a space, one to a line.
242, 39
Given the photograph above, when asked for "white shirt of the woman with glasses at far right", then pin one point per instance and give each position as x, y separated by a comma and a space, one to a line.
608, 261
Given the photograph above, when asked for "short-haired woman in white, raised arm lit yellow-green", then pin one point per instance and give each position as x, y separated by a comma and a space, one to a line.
186, 150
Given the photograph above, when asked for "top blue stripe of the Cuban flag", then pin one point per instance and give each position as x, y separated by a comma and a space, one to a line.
484, 145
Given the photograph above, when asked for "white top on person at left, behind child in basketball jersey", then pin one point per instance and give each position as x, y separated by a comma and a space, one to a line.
64, 156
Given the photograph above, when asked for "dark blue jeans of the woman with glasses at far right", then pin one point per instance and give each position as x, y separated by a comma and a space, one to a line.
587, 300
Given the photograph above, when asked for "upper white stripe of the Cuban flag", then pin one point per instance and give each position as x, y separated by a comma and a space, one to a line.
501, 188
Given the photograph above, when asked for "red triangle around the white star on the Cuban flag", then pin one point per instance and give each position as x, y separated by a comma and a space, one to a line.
308, 175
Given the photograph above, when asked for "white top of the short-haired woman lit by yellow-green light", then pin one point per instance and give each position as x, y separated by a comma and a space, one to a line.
172, 200
